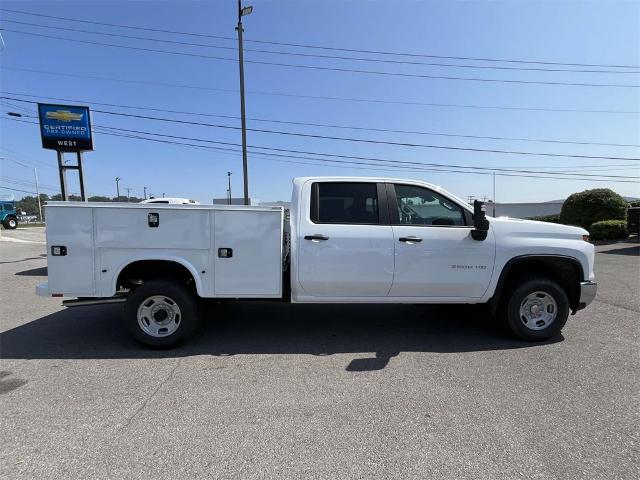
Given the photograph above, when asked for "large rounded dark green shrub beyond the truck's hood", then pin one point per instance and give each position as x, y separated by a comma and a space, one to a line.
586, 208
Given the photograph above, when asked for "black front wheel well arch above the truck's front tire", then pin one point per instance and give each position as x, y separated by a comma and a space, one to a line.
565, 271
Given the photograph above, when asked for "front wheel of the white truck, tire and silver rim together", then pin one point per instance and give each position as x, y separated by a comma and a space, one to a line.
536, 309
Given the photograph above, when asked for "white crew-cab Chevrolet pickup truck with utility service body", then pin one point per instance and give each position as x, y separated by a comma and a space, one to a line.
348, 240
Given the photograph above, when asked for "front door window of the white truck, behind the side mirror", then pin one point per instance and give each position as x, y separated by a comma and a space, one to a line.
420, 206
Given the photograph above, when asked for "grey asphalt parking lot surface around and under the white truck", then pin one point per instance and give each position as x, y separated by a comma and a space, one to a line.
293, 391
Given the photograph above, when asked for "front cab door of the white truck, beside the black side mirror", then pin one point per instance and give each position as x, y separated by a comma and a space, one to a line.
435, 255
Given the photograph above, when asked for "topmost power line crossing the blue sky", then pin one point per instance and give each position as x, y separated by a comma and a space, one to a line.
300, 45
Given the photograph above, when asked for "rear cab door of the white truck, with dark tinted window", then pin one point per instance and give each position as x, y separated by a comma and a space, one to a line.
344, 240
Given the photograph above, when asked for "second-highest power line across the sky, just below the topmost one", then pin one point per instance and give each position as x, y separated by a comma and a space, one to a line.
321, 56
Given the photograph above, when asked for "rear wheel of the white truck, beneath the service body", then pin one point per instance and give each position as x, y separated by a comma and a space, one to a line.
181, 323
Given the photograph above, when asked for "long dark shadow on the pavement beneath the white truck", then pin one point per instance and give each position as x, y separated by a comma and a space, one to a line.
249, 328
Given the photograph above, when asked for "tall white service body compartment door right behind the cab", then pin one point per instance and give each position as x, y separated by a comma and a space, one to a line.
247, 253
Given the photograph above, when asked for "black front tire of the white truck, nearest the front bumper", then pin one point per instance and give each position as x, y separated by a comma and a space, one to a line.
518, 324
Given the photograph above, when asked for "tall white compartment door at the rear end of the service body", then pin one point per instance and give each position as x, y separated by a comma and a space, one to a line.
72, 228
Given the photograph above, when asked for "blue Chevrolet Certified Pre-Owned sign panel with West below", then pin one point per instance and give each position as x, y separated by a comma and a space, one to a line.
65, 128
